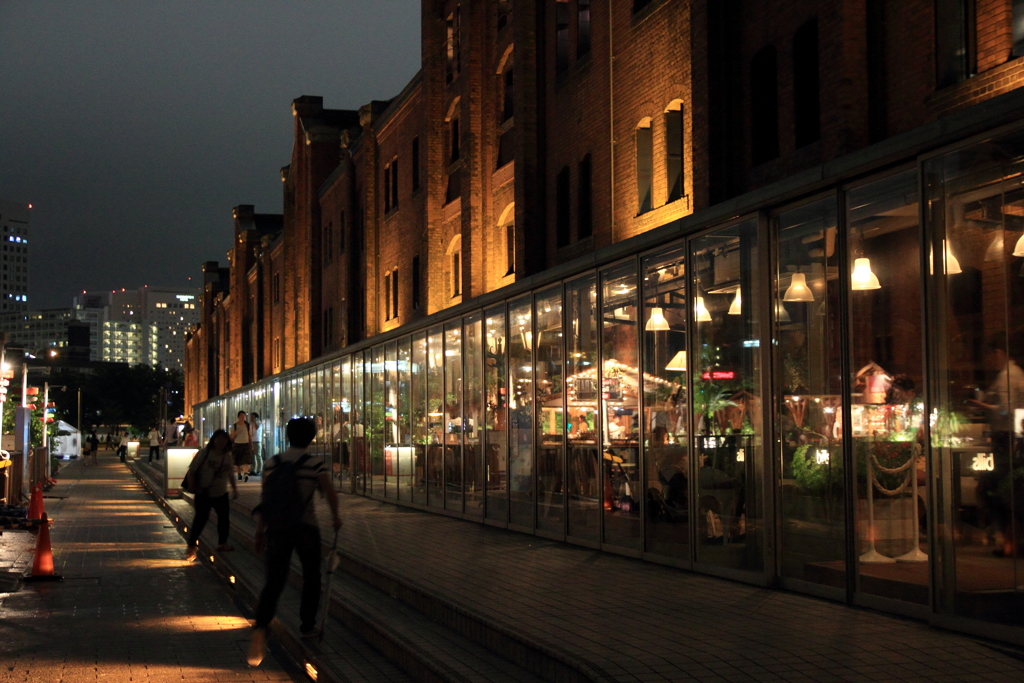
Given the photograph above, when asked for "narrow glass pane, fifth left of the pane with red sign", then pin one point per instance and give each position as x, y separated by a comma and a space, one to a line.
522, 413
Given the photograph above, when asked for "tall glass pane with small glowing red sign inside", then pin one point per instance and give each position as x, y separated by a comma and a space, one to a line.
728, 399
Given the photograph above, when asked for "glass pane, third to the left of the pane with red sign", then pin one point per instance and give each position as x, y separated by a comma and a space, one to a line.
582, 391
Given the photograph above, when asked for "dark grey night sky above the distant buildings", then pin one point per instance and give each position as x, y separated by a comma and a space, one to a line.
134, 127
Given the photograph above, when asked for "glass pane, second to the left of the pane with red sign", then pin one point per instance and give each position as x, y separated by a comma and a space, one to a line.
621, 407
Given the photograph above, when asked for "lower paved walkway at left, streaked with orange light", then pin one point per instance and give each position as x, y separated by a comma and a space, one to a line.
130, 609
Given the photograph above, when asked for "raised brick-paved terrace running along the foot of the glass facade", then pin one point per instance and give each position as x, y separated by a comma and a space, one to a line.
634, 621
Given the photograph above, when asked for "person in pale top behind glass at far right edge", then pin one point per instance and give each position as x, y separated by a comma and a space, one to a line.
1004, 397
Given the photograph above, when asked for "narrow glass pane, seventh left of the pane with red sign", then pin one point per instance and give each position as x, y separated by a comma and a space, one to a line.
474, 414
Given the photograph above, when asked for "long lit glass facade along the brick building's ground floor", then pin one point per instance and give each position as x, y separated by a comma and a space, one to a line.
826, 395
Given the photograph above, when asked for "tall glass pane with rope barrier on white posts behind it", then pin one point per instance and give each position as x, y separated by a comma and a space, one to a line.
887, 376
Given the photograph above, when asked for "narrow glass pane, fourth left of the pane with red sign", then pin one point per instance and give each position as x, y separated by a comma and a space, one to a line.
550, 418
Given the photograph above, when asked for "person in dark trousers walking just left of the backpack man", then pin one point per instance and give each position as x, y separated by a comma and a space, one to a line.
212, 469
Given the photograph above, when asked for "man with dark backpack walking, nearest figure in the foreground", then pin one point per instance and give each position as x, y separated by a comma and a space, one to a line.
287, 521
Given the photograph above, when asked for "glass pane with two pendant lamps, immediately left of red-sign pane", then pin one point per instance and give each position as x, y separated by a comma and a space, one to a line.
666, 418
